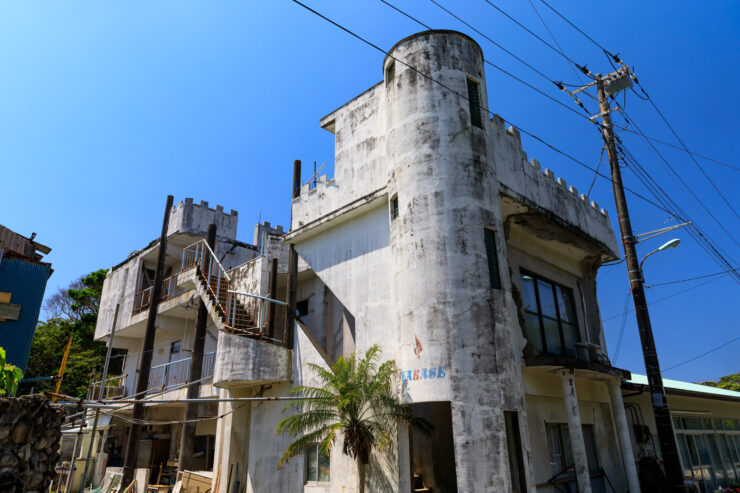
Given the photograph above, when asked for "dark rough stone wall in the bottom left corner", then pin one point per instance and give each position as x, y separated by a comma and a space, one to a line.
30, 433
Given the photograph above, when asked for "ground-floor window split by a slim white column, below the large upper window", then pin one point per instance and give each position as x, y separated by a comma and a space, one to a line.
561, 458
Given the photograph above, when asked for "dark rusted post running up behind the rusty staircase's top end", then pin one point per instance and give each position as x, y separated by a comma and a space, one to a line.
187, 439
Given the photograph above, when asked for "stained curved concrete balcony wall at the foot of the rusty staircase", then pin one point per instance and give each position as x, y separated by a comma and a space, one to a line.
242, 361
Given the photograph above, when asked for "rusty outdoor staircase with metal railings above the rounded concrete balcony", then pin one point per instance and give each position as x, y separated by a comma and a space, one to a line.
239, 313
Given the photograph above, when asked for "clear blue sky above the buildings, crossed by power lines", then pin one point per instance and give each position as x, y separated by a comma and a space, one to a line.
107, 107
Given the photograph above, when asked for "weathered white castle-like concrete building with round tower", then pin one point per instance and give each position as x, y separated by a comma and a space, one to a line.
437, 239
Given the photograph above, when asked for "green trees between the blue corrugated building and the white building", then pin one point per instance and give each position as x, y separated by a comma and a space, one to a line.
73, 311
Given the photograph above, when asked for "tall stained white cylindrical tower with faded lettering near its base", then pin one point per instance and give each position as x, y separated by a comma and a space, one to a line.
447, 244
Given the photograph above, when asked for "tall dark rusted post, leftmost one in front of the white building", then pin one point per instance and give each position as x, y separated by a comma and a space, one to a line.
132, 444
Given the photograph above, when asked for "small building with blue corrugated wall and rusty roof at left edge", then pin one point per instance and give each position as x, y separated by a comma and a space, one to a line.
23, 278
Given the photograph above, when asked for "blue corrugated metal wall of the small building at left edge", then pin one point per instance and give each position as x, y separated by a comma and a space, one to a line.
26, 281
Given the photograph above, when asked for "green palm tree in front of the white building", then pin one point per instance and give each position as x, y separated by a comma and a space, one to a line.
355, 398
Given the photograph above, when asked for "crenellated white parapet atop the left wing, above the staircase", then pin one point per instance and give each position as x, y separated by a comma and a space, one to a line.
189, 217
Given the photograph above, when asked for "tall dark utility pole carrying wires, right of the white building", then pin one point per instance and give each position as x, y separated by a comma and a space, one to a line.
669, 451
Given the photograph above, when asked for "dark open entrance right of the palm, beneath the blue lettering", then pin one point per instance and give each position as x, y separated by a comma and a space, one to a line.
433, 454
